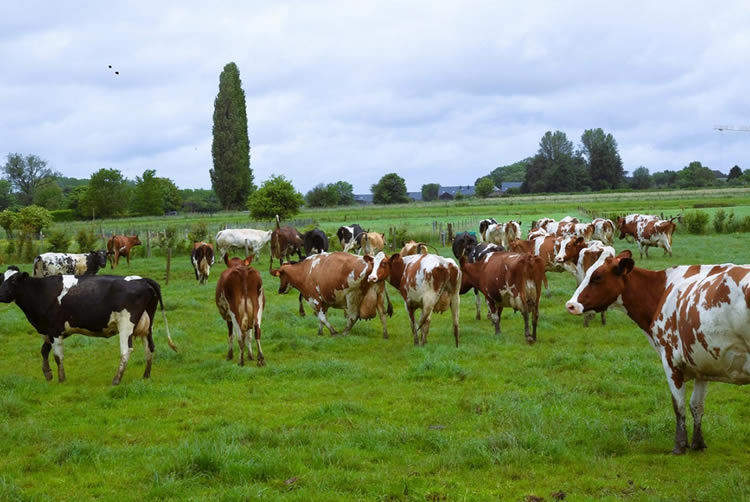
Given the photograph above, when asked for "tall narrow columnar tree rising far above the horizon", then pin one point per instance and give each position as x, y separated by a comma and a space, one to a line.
231, 177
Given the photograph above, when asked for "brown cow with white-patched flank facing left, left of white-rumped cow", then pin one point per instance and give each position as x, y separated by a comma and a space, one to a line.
336, 280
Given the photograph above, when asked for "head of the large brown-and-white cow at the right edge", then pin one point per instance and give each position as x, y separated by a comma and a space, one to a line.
603, 284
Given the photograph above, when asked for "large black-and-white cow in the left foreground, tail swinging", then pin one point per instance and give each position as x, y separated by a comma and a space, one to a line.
92, 305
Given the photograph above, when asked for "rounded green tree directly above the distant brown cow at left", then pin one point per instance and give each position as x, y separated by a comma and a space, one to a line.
107, 194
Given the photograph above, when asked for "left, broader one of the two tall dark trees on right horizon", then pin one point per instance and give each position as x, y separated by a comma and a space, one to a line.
555, 167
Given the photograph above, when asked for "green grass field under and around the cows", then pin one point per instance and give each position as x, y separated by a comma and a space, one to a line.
585, 411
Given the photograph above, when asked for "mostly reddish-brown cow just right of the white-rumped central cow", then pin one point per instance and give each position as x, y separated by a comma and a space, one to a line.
507, 280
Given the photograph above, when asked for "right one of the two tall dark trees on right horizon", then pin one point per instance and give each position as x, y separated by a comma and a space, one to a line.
599, 149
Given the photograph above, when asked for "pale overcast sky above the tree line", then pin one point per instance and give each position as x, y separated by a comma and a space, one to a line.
436, 91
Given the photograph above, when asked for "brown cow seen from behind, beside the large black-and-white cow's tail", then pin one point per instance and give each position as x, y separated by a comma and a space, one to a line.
240, 300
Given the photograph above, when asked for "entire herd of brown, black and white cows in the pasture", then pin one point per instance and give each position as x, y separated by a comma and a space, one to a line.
696, 317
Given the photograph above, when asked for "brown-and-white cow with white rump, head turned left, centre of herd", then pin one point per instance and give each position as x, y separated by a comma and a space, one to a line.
426, 281
